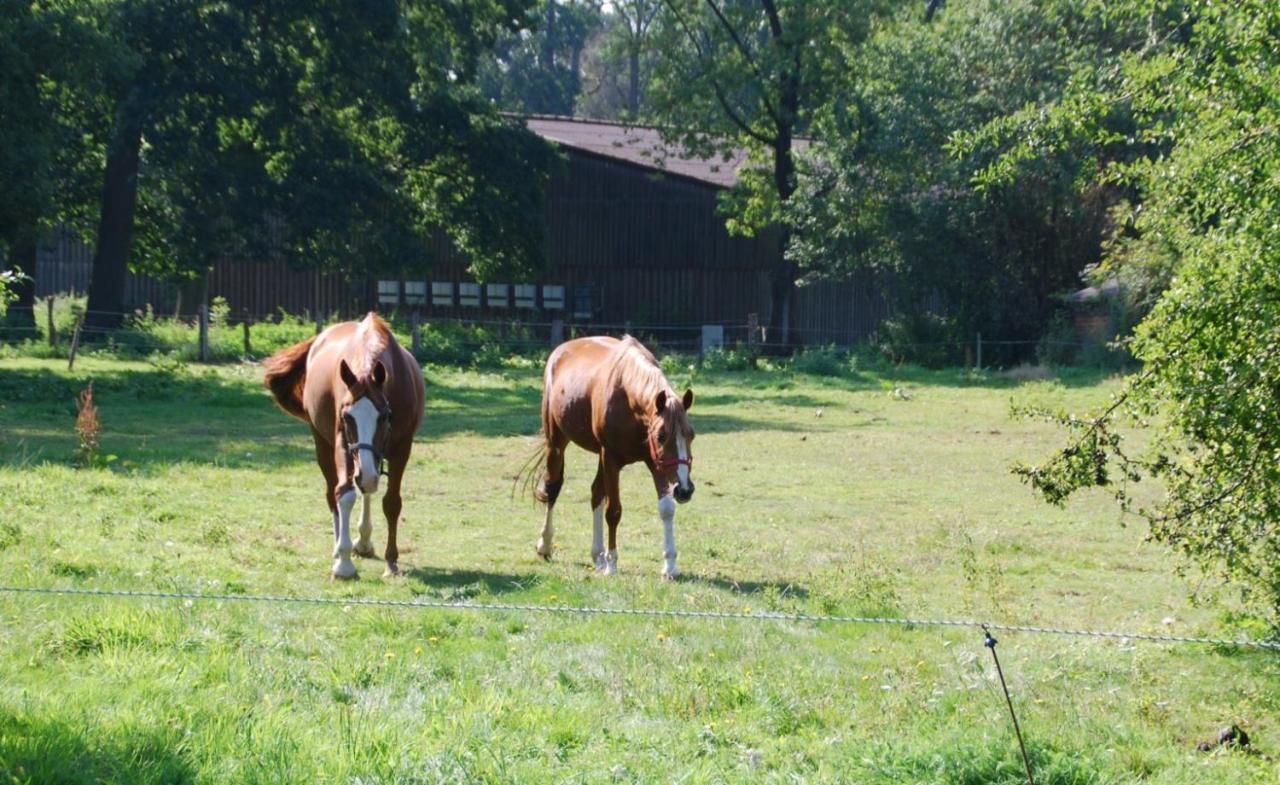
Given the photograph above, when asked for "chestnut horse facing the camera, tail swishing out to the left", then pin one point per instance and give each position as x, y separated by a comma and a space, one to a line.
363, 395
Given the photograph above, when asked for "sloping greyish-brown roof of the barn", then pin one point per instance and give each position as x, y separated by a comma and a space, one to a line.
639, 145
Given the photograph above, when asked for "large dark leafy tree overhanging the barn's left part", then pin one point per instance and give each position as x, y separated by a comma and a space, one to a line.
342, 126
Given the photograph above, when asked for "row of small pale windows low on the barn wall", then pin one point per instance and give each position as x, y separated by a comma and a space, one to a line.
446, 294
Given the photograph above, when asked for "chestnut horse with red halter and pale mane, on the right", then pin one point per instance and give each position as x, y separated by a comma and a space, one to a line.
610, 398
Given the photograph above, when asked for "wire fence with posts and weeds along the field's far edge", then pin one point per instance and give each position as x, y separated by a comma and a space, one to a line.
223, 336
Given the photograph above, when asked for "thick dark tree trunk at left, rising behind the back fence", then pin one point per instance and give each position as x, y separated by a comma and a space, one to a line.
116, 226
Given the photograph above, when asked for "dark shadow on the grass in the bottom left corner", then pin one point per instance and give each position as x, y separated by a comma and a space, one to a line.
38, 750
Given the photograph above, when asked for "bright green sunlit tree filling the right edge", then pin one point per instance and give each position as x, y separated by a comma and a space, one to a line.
1205, 93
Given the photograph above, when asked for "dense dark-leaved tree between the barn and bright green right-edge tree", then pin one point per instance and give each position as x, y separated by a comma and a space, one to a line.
892, 189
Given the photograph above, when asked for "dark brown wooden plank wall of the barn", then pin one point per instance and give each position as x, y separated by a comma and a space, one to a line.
652, 249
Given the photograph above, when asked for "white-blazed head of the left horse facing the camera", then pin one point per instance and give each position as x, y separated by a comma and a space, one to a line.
365, 423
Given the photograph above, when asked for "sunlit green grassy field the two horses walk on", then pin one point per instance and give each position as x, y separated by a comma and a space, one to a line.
875, 494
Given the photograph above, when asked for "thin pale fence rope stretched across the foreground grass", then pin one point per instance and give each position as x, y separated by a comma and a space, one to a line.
772, 617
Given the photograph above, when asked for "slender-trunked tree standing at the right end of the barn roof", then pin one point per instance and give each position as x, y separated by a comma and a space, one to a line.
751, 76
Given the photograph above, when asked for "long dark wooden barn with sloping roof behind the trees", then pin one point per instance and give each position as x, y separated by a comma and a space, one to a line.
634, 239
